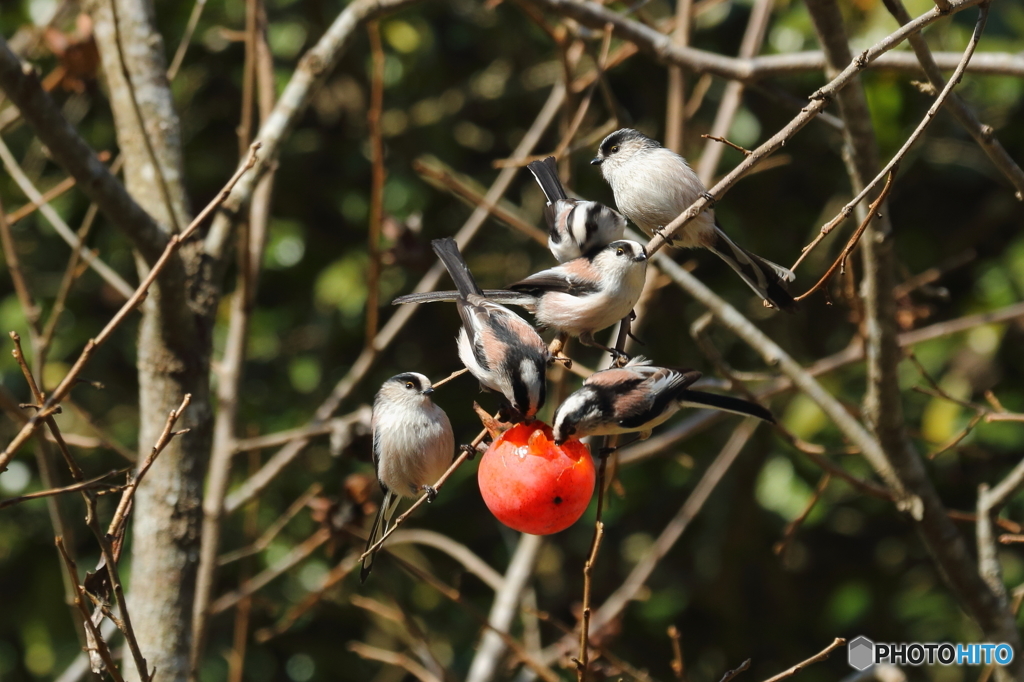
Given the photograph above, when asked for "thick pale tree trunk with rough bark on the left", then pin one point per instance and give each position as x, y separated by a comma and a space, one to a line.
174, 342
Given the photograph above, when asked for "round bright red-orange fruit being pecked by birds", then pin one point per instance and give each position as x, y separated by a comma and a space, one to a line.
533, 486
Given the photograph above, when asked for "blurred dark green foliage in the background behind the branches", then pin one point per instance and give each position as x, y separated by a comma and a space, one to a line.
464, 81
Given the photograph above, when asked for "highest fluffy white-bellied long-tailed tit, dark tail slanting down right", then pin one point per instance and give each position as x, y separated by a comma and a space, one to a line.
654, 186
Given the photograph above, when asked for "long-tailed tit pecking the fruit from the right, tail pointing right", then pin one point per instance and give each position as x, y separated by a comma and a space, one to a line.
638, 398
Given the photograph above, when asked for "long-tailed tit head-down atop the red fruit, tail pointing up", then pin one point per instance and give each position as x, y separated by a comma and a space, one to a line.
499, 348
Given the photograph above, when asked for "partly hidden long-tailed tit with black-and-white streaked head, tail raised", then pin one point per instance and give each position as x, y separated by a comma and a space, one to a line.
575, 227
